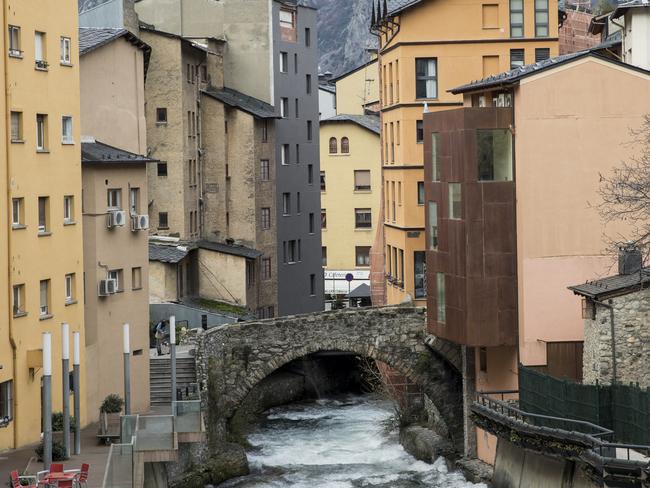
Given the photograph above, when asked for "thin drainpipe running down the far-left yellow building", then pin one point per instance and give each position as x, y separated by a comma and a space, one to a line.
12, 339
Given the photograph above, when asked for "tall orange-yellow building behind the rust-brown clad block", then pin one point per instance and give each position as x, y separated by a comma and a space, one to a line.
427, 47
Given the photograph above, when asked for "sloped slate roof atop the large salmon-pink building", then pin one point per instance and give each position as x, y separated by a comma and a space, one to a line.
513, 76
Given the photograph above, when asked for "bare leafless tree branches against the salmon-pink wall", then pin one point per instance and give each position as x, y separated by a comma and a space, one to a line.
625, 192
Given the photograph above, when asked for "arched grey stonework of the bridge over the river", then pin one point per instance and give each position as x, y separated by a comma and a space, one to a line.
232, 359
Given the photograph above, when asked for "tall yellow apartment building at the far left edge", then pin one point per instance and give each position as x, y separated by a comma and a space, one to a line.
41, 245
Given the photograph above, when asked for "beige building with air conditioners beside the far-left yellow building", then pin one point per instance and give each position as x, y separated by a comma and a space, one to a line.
115, 214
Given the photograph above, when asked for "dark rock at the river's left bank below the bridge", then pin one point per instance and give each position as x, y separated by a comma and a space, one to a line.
228, 462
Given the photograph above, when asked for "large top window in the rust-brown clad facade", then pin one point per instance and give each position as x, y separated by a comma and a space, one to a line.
494, 147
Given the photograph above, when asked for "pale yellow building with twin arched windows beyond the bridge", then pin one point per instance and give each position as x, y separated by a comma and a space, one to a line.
350, 182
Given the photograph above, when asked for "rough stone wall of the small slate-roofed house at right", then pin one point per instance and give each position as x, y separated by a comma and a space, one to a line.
632, 341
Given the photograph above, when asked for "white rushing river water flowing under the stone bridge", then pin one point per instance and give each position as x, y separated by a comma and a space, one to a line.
337, 444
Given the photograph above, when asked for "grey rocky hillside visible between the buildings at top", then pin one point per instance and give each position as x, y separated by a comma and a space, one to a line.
343, 34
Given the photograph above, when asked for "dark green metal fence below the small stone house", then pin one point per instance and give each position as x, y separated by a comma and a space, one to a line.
625, 409
